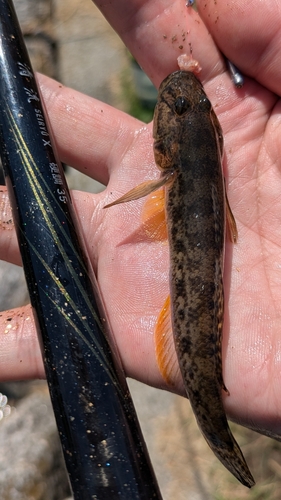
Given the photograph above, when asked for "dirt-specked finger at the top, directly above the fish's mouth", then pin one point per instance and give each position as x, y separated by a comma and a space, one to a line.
157, 32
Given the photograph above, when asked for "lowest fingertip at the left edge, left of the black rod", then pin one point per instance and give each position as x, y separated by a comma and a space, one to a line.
20, 355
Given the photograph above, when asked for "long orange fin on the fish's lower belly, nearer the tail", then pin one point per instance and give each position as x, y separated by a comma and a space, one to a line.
164, 345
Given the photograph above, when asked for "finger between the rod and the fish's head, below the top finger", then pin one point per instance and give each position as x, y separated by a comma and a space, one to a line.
90, 135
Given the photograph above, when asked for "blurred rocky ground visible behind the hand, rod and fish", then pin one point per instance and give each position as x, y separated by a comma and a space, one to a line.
71, 41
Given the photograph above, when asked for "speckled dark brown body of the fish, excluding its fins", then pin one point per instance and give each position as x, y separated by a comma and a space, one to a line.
188, 143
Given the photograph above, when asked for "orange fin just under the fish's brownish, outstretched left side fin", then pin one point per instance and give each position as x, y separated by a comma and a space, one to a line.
154, 217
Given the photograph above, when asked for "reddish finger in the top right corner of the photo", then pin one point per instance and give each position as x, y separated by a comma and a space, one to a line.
248, 33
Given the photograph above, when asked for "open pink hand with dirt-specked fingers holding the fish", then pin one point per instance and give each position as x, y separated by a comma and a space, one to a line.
117, 149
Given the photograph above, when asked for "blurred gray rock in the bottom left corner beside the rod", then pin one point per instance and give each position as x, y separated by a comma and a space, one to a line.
31, 462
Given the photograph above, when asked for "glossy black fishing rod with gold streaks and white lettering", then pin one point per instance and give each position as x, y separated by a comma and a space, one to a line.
104, 450
